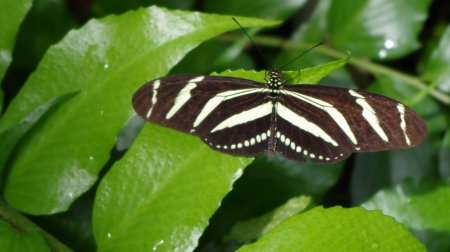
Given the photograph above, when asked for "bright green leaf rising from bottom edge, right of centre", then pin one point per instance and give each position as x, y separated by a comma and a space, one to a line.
353, 229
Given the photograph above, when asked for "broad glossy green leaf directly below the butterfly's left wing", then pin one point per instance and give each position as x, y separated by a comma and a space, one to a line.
162, 193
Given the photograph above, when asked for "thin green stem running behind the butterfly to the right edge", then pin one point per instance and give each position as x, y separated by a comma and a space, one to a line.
371, 67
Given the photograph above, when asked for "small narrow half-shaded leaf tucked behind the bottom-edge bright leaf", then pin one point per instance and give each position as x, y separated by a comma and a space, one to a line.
249, 230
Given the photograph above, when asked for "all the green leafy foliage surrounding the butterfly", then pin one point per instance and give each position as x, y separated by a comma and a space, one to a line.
69, 71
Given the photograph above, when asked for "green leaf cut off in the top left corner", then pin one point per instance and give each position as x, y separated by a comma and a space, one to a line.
11, 15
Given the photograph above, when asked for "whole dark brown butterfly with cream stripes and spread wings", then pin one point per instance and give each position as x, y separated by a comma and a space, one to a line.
248, 118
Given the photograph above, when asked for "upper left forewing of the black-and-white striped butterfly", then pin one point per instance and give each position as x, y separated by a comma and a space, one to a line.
183, 102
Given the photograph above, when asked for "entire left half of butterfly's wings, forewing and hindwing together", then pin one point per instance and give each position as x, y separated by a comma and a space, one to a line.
229, 114
